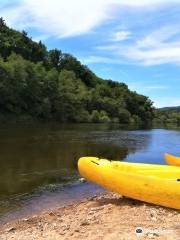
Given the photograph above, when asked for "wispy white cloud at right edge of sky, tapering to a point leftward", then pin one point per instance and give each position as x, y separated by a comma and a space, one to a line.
158, 47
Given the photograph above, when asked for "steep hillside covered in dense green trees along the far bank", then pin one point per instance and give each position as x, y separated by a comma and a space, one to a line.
50, 85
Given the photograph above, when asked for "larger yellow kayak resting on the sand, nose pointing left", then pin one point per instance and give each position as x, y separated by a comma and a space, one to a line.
157, 184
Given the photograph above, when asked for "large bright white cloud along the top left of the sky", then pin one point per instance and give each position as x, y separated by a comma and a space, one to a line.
65, 18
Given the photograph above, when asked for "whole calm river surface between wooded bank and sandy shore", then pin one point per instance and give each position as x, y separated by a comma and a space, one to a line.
38, 163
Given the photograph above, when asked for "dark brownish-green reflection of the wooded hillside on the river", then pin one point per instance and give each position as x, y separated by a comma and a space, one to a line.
34, 156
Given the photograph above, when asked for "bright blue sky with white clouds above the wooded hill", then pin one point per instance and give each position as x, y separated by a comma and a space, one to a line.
132, 41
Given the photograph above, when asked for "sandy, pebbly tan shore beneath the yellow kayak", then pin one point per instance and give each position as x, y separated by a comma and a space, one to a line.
104, 217
